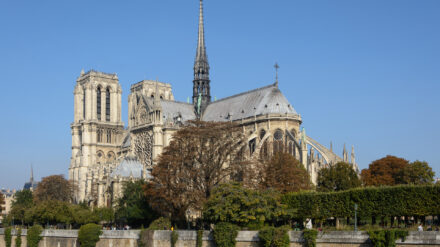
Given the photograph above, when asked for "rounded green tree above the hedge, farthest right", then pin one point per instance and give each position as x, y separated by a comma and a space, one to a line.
418, 172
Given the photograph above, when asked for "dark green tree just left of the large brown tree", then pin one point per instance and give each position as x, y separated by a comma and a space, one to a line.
133, 206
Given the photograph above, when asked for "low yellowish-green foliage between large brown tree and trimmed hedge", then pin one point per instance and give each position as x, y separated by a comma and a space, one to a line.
244, 207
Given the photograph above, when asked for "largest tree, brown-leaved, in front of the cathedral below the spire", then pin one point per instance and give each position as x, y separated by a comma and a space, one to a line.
200, 156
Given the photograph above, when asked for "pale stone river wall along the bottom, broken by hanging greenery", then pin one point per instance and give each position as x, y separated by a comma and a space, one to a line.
68, 238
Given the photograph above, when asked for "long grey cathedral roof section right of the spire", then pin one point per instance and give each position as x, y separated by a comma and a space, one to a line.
260, 101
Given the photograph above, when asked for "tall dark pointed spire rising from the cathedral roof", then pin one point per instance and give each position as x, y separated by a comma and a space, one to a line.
201, 69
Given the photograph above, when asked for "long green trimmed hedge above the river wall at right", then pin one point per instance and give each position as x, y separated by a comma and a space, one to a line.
372, 202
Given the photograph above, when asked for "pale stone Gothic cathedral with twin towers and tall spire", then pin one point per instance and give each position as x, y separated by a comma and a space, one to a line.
105, 152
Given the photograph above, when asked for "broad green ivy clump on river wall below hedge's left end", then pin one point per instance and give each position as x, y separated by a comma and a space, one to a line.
274, 237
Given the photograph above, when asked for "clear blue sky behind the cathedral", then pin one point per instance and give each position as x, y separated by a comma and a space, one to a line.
364, 73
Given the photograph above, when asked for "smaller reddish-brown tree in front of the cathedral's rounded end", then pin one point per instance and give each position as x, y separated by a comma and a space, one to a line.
285, 173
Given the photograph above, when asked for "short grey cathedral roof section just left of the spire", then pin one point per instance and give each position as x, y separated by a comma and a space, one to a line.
173, 109
